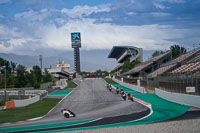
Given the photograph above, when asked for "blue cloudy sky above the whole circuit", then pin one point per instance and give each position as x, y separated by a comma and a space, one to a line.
33, 27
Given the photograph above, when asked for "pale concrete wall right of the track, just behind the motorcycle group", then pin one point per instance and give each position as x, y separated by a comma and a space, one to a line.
131, 86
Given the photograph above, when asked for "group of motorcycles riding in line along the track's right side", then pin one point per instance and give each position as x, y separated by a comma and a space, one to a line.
121, 92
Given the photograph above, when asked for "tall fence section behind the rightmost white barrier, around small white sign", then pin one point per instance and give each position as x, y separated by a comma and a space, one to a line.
178, 84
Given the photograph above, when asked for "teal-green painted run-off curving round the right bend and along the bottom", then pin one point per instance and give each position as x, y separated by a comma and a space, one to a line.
162, 110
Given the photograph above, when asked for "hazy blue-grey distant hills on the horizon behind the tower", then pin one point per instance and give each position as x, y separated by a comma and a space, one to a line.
30, 61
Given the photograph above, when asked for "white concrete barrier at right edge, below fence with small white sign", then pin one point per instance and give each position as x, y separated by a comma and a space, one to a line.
185, 99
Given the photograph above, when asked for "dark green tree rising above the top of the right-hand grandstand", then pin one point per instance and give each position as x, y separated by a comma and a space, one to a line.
177, 50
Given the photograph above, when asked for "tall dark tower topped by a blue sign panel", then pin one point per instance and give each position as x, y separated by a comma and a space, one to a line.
76, 44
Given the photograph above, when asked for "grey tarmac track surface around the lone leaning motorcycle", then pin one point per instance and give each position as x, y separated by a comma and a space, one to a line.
90, 100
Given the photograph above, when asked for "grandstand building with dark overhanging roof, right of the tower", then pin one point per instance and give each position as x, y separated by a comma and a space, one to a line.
125, 53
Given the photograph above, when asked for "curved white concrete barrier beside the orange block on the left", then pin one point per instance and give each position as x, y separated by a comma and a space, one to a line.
25, 102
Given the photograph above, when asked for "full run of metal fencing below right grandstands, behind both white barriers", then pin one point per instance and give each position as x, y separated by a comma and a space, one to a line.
170, 83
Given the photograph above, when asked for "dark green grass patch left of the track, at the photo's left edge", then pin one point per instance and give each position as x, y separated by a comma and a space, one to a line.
37, 109
